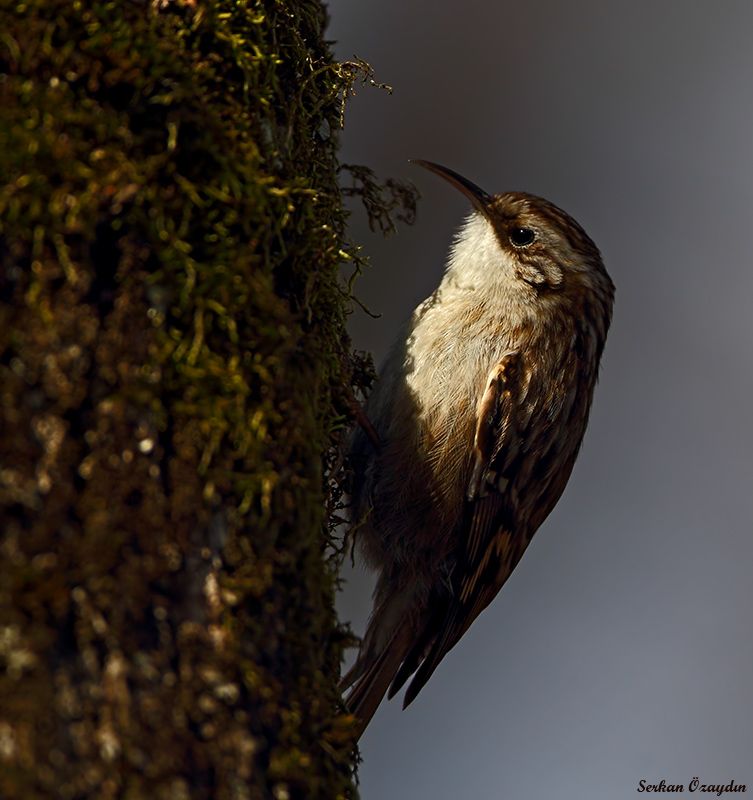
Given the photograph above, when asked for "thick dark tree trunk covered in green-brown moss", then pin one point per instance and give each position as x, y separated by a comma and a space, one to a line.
173, 375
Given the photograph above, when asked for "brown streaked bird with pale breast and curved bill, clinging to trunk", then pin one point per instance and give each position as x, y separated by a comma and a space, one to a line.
475, 421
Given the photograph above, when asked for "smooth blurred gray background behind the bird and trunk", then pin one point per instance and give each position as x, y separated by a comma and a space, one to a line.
622, 647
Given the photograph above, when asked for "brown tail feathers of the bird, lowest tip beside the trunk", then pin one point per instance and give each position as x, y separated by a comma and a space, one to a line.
373, 672
